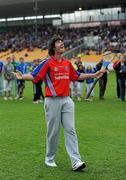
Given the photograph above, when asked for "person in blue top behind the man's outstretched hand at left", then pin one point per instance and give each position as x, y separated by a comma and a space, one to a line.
22, 68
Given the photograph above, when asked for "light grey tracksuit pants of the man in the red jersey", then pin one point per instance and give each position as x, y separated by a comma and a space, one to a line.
60, 110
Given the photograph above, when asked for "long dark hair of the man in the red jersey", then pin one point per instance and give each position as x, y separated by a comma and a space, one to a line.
52, 44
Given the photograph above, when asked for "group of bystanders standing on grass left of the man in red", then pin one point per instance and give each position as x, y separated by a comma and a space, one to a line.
11, 88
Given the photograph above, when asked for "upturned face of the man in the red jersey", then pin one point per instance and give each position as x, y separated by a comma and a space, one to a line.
59, 47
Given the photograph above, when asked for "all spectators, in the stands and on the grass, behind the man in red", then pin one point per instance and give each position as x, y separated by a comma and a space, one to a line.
25, 38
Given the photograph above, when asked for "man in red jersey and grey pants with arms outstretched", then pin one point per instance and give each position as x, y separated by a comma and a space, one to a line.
57, 72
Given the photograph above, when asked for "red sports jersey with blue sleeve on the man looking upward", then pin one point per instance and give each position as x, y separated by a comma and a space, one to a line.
57, 76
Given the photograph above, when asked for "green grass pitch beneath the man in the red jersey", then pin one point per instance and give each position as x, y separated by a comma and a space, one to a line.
101, 130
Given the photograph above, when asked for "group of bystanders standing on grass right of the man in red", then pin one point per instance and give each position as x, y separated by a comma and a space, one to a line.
120, 71
